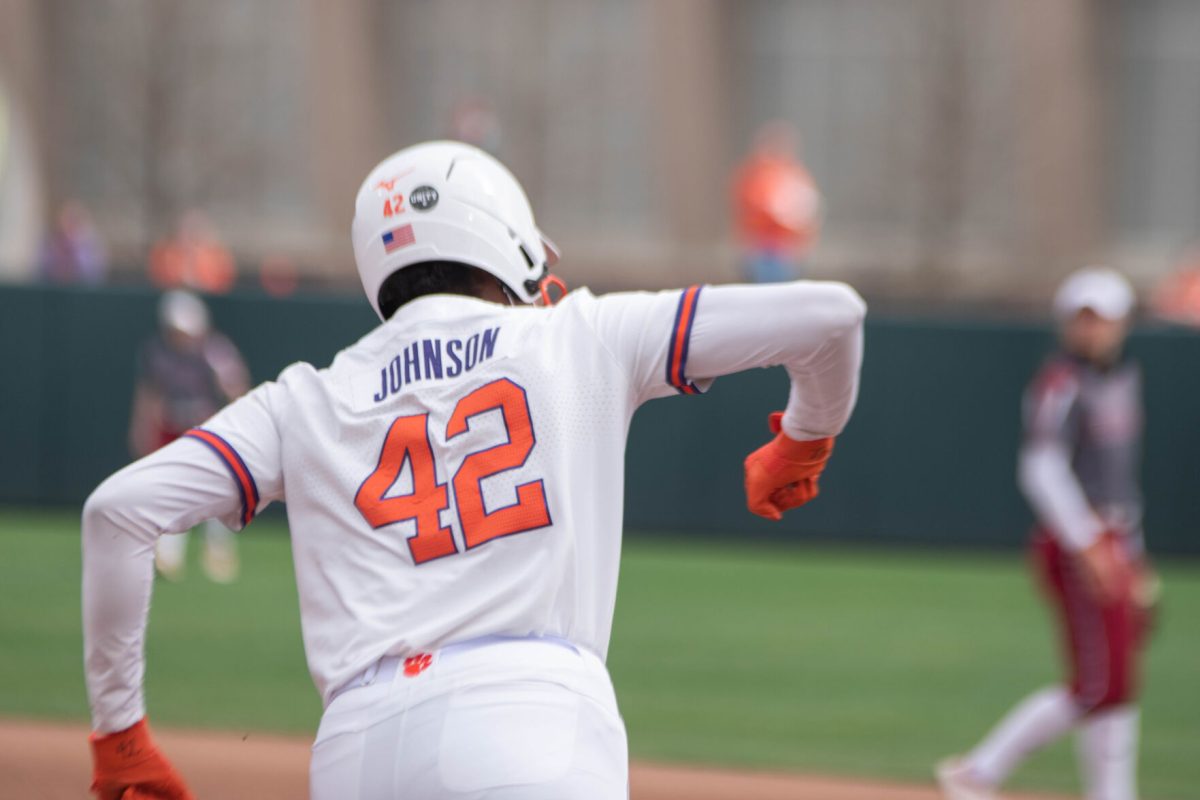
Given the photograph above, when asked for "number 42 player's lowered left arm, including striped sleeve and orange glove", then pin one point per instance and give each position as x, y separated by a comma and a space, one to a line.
208, 474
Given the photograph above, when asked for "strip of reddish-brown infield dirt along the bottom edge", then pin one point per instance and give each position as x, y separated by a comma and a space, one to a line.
50, 762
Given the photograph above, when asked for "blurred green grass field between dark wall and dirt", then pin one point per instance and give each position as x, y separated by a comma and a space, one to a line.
845, 661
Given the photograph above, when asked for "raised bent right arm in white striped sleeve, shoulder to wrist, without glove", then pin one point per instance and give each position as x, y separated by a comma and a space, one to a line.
679, 342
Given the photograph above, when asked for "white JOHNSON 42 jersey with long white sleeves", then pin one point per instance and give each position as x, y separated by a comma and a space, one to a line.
459, 472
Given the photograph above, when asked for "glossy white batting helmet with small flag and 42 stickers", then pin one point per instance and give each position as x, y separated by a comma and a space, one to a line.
448, 202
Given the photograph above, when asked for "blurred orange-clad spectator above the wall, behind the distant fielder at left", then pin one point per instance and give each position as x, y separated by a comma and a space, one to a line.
194, 258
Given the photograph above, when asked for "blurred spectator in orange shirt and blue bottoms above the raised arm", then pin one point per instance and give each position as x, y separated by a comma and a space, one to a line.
777, 207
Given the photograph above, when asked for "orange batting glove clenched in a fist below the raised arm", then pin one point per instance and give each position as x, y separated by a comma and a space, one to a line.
783, 474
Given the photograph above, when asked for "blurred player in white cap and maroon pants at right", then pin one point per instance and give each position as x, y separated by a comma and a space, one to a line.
1079, 473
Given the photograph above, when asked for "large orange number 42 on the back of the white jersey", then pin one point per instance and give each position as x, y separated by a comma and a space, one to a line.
409, 441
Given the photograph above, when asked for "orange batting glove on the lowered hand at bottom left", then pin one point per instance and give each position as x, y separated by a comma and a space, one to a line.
128, 766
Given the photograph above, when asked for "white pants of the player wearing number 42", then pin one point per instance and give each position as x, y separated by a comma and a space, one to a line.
489, 720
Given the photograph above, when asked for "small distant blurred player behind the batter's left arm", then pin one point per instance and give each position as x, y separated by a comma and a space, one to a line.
187, 374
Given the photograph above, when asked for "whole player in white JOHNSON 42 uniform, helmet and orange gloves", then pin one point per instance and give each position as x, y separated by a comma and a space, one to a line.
454, 484
